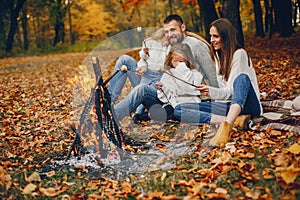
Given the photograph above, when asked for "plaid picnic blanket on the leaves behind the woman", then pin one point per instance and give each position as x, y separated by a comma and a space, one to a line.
278, 114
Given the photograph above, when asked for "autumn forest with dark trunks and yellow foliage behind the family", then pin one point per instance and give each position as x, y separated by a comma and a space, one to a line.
42, 26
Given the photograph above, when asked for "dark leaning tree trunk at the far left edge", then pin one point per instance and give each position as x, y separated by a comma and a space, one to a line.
14, 13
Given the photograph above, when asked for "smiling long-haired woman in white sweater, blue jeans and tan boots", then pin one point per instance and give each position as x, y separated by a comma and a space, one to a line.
238, 92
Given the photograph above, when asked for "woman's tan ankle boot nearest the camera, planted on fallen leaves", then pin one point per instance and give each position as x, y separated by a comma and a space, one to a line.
222, 136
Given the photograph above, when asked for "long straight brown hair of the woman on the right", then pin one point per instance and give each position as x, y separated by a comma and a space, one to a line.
224, 56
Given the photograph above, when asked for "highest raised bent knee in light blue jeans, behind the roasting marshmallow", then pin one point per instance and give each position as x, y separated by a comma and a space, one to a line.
118, 81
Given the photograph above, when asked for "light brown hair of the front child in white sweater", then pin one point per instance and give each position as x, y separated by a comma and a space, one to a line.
182, 50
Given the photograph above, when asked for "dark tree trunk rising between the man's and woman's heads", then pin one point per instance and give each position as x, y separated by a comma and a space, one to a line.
208, 14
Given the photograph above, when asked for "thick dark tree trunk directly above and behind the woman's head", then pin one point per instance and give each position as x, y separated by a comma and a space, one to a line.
231, 11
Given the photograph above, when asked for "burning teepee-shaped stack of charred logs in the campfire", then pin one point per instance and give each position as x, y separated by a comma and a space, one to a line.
105, 130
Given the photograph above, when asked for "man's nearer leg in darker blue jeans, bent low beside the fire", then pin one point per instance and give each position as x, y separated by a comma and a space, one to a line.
141, 94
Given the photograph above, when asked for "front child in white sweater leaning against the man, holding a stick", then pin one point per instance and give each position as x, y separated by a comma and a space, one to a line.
180, 78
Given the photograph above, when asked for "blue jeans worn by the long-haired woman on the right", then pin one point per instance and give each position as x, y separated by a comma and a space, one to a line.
199, 113
